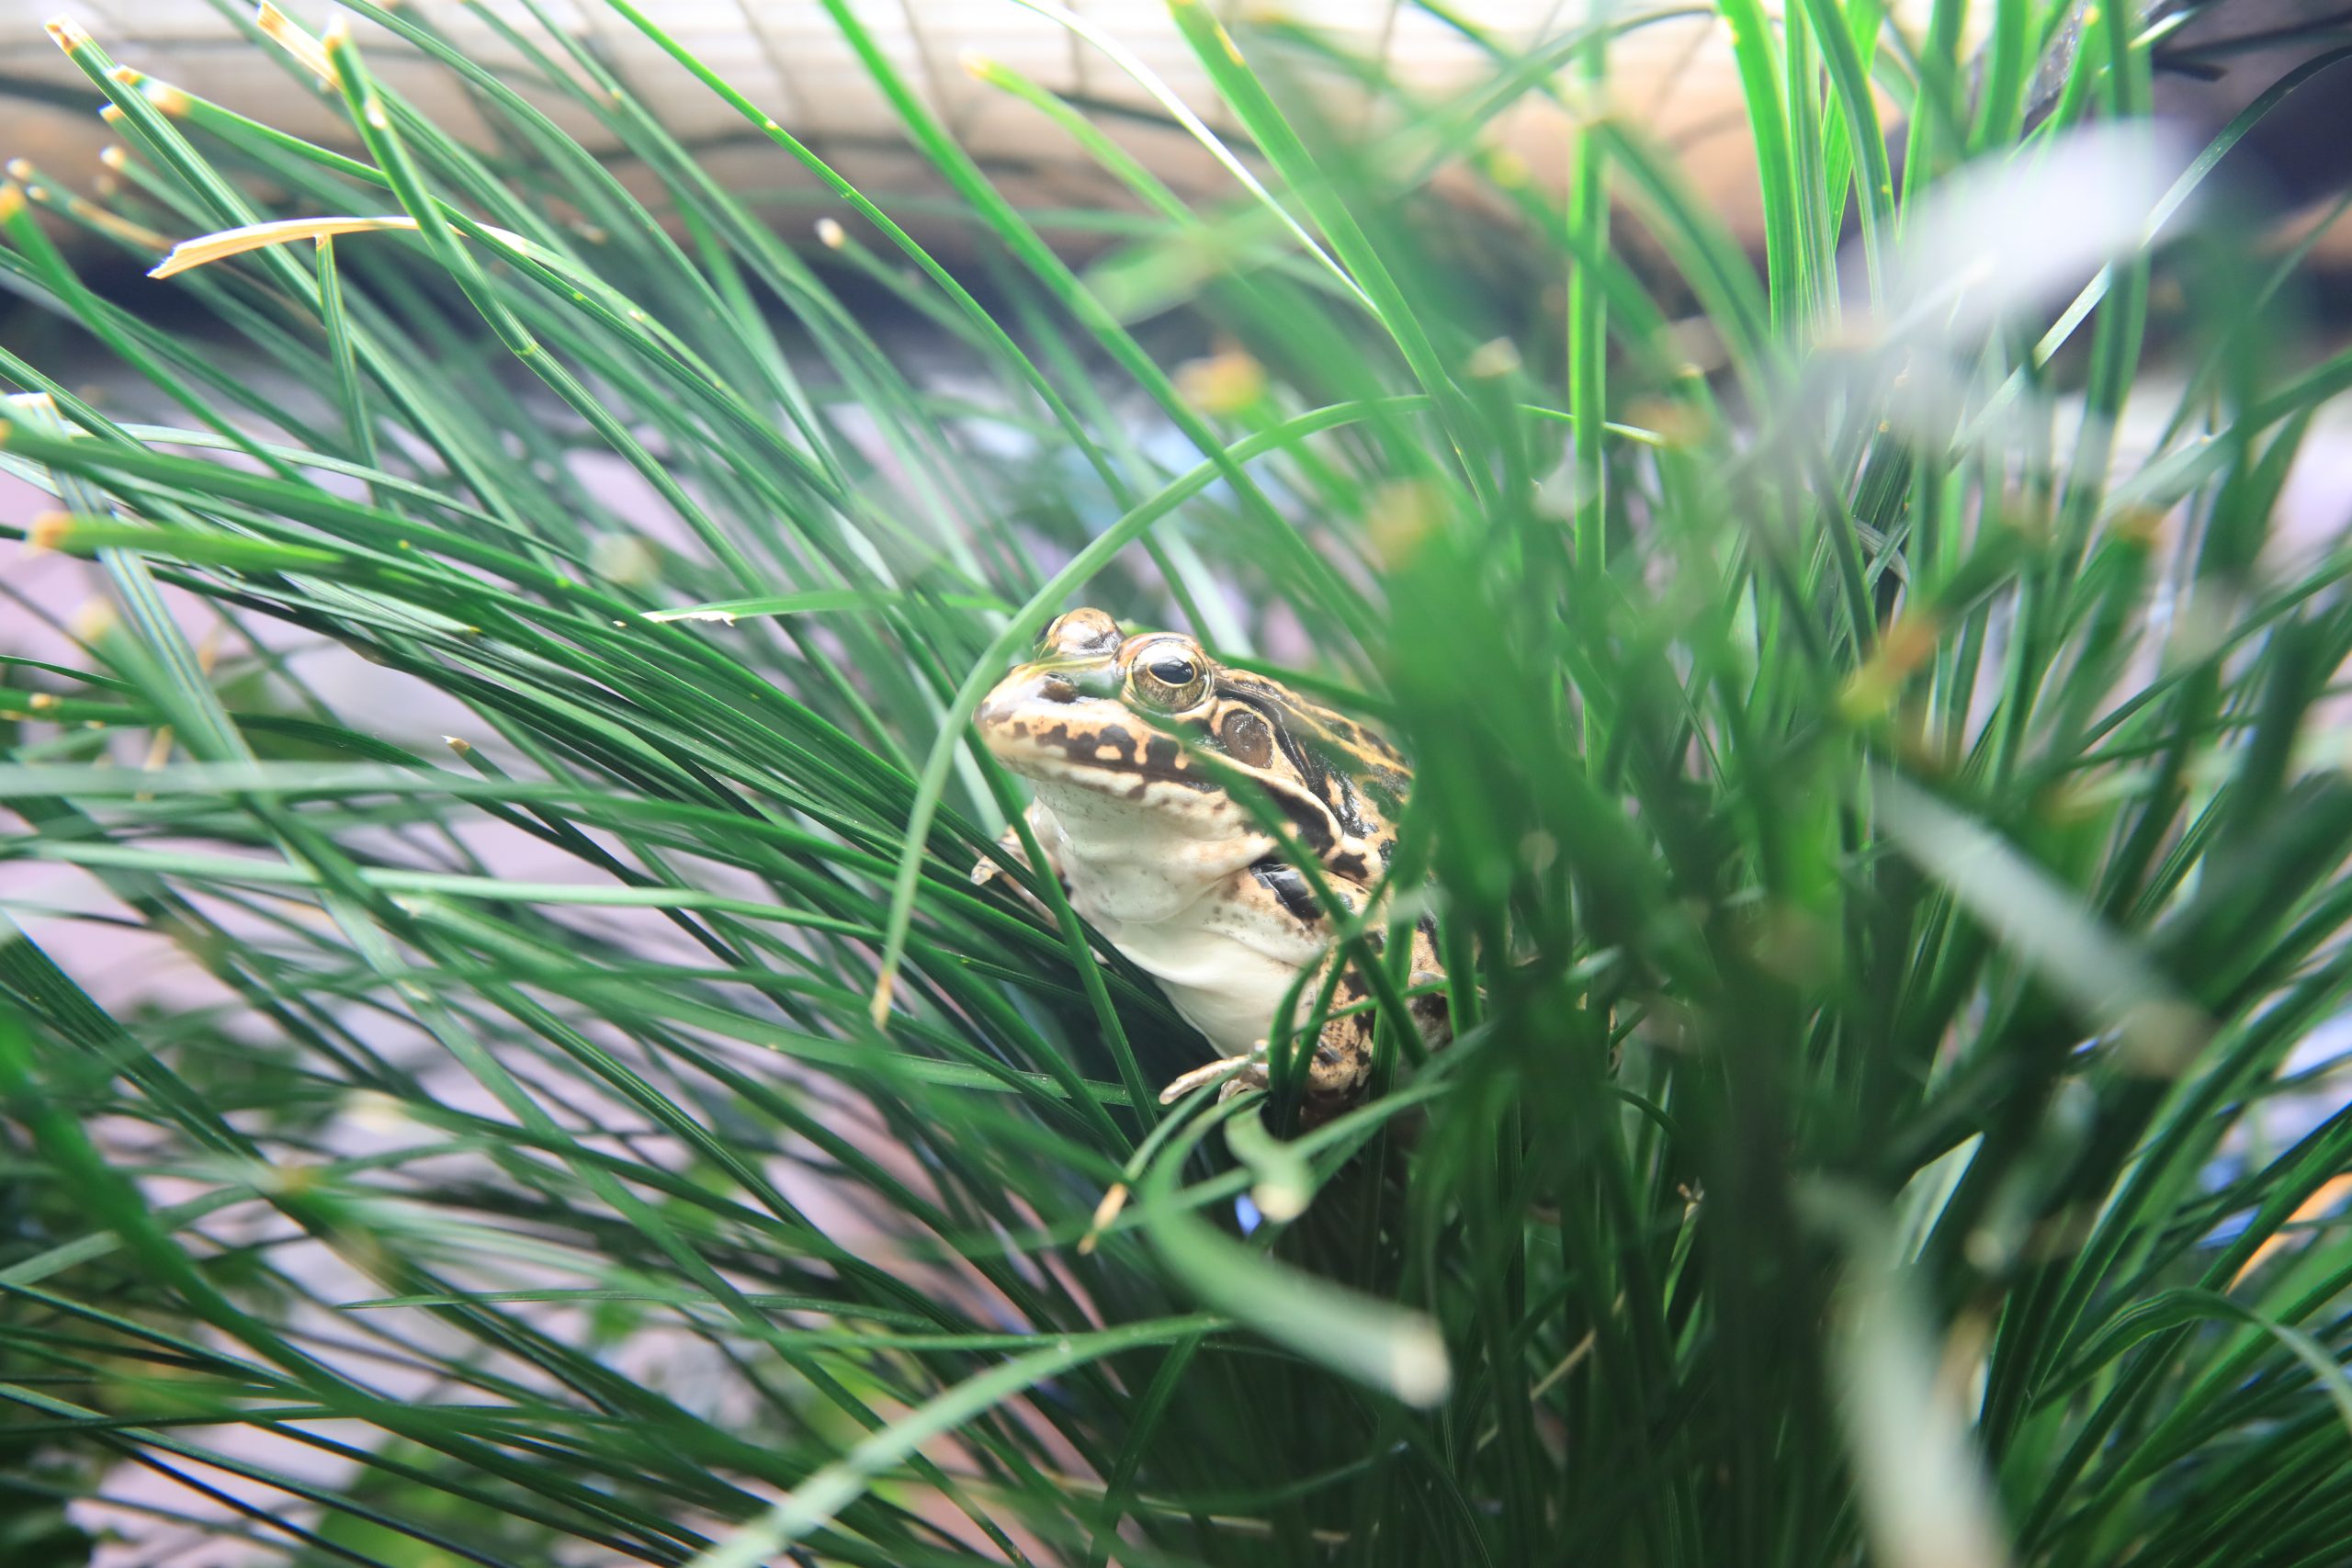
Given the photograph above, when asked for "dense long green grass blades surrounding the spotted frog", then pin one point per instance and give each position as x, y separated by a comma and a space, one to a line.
1887, 852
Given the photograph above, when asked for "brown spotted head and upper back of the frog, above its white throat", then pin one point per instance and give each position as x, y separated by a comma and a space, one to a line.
1154, 725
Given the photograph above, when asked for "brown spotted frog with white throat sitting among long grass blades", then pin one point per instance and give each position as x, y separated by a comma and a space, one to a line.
1132, 746
